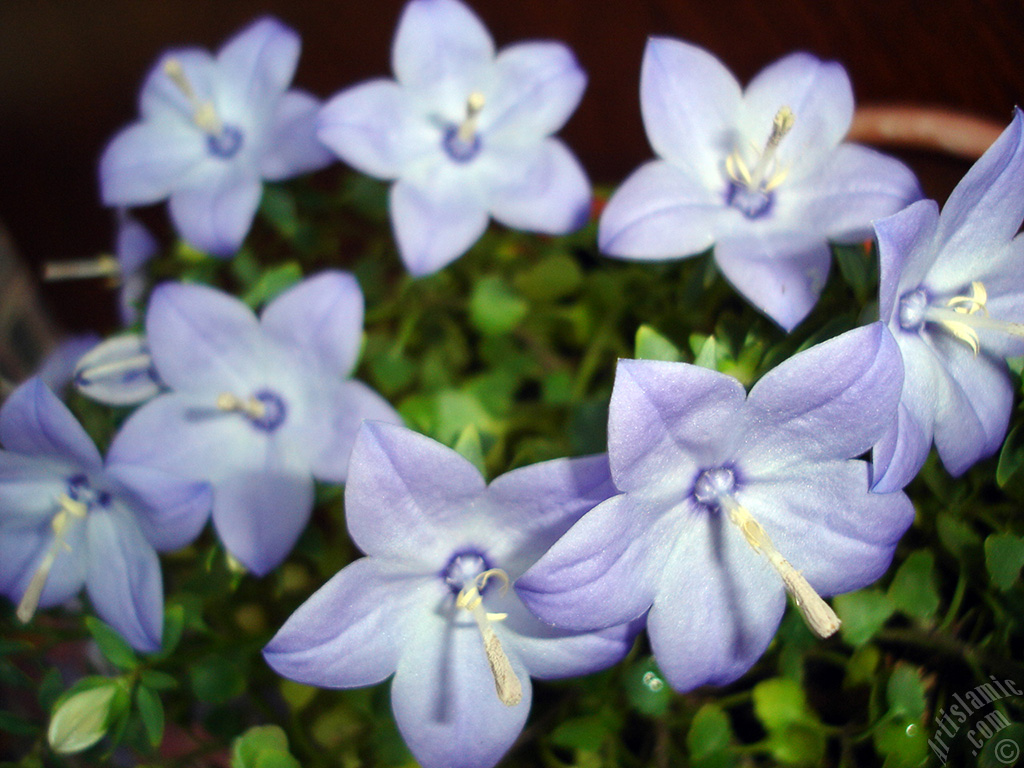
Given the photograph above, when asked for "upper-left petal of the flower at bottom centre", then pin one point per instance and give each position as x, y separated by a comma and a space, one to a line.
407, 493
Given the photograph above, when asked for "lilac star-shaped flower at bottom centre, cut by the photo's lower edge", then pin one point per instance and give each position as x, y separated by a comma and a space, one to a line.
431, 603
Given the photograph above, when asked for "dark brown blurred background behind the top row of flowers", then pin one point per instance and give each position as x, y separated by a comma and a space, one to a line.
72, 71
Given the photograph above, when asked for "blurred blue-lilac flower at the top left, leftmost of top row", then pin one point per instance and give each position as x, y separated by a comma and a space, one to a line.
212, 130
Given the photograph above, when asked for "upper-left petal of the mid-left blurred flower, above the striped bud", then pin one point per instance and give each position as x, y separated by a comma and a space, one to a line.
203, 340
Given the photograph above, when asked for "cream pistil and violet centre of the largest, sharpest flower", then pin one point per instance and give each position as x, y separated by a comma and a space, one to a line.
715, 489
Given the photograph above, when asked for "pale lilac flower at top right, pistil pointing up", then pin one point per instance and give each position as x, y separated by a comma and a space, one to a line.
759, 175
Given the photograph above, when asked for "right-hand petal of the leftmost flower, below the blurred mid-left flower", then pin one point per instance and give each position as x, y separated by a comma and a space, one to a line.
170, 510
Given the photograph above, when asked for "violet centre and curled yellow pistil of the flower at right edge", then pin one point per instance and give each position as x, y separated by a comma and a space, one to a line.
962, 316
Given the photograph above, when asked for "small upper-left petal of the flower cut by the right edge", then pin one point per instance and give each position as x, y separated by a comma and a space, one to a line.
906, 253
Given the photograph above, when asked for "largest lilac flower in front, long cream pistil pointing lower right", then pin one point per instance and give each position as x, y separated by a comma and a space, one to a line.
730, 501
